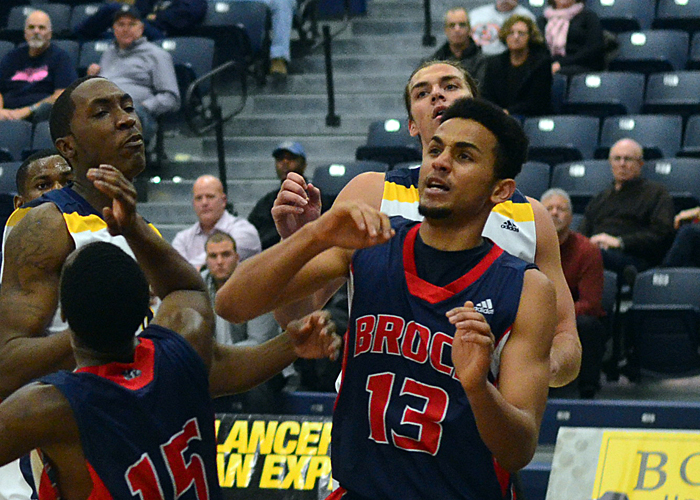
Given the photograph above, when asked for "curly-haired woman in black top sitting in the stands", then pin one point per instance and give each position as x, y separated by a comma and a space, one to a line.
520, 79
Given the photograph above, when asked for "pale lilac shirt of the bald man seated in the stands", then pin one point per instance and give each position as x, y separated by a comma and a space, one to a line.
190, 242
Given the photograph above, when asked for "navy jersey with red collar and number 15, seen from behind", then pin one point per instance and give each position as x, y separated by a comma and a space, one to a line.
147, 427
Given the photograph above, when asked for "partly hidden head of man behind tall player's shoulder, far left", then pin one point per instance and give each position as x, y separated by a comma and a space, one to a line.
43, 171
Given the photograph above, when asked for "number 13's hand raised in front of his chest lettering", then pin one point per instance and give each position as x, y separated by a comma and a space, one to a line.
472, 346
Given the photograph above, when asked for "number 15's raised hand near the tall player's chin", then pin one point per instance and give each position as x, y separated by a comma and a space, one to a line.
111, 182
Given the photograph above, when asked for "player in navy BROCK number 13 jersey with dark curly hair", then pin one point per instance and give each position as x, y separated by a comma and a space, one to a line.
447, 355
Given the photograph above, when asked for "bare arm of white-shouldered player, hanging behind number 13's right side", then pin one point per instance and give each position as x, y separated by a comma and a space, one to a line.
565, 358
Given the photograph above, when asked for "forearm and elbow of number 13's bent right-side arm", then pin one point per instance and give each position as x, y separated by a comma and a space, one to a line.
509, 433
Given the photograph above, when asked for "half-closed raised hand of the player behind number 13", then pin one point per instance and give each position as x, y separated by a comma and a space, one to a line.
297, 203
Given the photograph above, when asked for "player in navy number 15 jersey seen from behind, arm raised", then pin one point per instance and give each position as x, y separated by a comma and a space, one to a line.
136, 415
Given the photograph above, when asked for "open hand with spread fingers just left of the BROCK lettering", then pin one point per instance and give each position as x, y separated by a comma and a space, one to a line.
314, 336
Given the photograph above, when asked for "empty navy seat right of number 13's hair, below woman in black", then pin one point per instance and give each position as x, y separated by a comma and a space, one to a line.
560, 138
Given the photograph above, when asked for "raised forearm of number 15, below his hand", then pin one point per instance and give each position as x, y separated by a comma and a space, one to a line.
166, 270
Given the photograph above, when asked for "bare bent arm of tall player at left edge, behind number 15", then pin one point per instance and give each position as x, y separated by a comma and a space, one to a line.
34, 254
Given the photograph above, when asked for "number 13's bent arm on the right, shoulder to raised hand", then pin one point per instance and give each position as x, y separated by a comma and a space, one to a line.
508, 417
